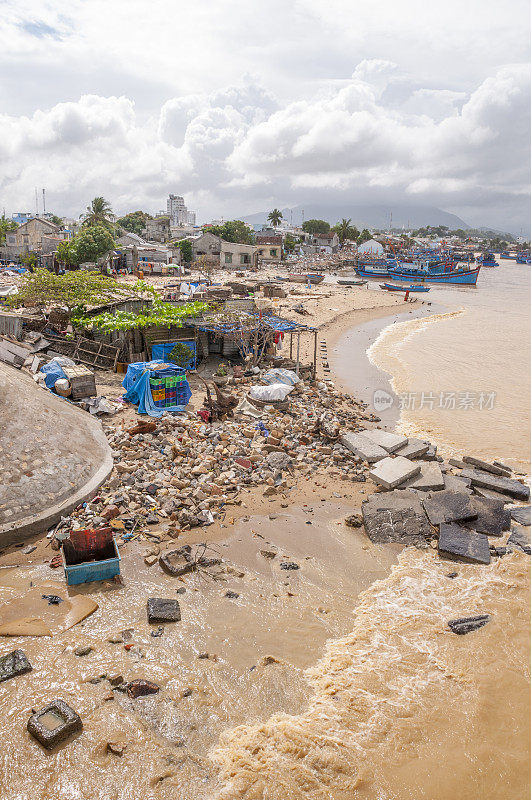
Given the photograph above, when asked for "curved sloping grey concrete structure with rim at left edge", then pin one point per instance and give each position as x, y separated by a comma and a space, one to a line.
52, 456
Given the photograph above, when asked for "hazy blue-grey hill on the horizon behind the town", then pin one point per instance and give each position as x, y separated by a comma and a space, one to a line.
368, 216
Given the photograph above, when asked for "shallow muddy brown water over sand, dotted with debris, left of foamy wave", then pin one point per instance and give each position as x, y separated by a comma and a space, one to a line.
259, 646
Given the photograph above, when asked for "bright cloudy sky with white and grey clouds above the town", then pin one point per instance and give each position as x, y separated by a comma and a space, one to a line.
241, 106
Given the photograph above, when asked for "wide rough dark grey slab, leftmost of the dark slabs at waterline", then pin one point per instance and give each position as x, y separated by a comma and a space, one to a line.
396, 517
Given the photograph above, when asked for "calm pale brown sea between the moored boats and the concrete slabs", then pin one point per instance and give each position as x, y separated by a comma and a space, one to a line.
463, 376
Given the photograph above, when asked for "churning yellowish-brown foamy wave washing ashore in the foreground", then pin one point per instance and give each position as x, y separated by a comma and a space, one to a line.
375, 689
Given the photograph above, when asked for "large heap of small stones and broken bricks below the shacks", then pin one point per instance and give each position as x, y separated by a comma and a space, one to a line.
184, 472
